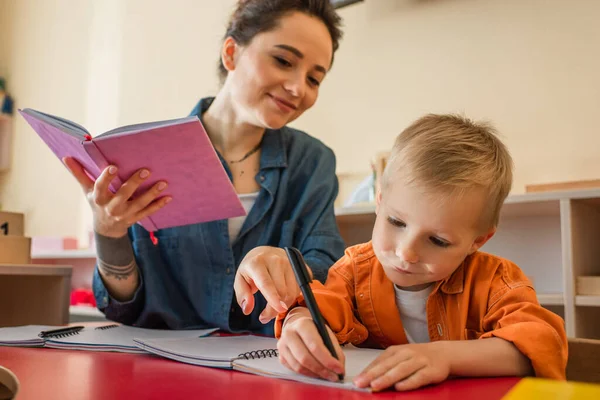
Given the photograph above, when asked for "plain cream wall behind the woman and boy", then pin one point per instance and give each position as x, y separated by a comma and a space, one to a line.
530, 66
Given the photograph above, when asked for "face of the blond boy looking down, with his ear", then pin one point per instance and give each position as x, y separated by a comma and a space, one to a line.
422, 237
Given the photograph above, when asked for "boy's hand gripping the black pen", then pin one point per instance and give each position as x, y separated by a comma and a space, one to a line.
302, 350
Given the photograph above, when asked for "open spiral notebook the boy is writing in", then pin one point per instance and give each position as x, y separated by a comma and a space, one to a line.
251, 354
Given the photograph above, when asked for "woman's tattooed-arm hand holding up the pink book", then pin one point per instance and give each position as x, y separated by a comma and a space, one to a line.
115, 212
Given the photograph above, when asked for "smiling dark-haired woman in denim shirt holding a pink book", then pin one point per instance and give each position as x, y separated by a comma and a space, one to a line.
274, 56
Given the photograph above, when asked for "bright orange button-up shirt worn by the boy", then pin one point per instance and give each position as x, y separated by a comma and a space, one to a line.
487, 296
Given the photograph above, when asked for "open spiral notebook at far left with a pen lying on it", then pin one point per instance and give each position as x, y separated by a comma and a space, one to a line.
110, 337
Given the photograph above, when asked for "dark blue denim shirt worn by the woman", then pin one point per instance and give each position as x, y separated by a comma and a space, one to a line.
186, 280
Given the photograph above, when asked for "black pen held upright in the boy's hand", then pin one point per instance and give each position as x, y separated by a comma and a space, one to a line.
303, 278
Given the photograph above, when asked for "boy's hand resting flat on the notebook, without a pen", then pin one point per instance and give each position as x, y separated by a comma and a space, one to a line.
406, 367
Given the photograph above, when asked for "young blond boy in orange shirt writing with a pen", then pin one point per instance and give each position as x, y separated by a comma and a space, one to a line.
421, 289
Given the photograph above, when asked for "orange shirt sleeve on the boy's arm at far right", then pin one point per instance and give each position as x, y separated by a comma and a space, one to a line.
516, 316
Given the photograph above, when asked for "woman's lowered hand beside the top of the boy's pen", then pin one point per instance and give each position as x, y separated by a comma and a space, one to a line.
268, 270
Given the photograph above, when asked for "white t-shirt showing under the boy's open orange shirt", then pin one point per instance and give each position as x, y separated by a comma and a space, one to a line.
413, 313
